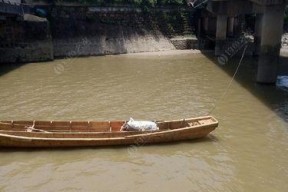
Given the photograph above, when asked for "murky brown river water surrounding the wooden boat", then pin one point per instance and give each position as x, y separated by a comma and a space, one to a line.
247, 152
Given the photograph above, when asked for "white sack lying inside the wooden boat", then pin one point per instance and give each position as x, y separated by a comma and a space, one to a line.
133, 125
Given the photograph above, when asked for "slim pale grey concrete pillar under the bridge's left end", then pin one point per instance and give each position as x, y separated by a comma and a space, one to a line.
221, 32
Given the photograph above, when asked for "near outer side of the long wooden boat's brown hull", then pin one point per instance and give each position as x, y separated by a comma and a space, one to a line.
10, 138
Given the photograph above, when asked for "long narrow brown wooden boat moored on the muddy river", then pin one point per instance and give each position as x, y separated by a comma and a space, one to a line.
49, 134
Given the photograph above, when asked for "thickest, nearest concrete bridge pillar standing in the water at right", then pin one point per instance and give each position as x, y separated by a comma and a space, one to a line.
271, 32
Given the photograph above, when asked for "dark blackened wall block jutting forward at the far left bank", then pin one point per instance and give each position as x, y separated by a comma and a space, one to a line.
26, 40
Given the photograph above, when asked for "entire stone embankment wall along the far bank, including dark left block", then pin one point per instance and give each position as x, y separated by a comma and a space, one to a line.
83, 31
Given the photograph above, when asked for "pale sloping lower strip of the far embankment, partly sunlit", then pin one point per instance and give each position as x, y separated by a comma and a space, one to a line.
106, 44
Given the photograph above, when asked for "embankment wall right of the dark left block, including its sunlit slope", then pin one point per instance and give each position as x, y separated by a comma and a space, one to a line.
78, 31
